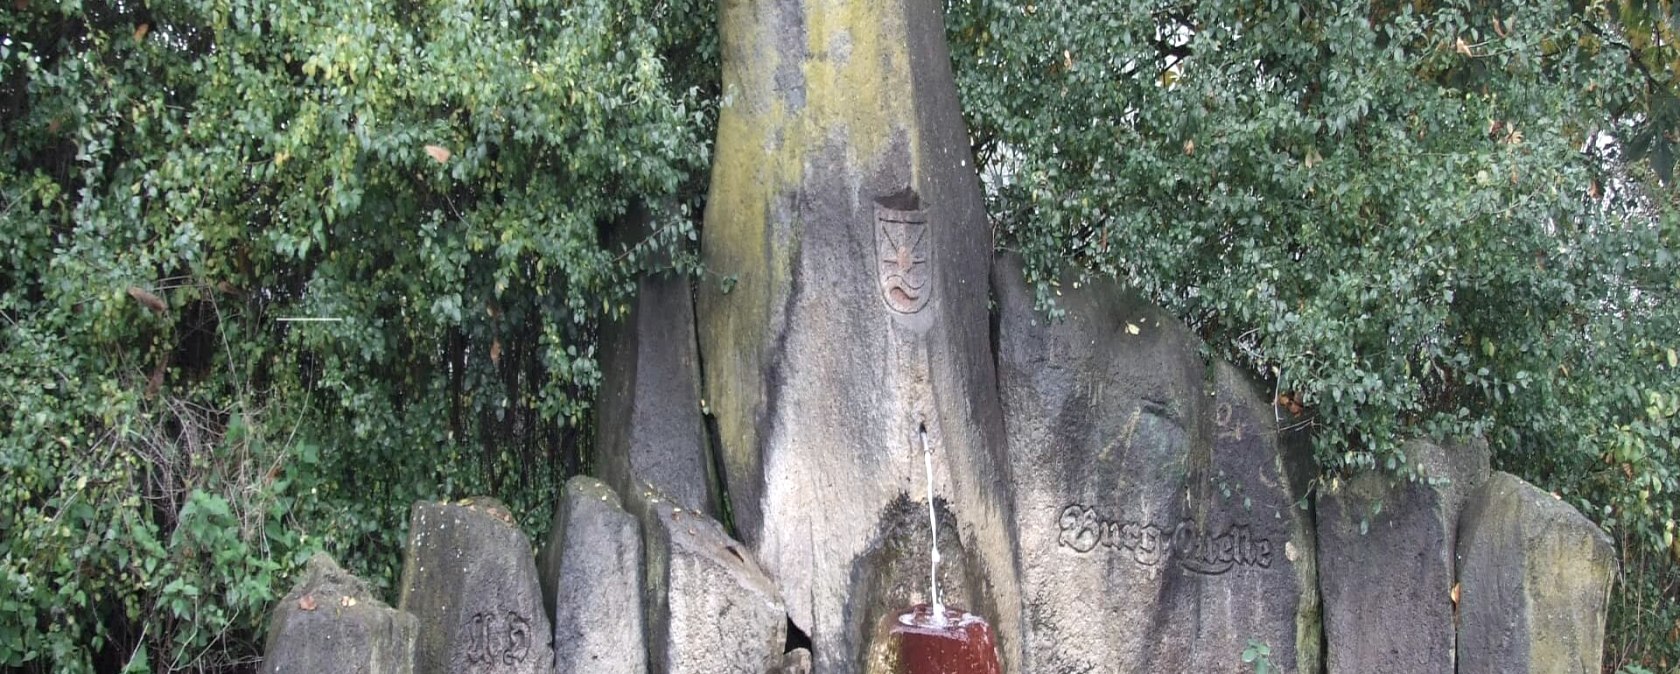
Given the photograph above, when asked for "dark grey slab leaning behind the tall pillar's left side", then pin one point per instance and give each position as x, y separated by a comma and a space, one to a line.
649, 409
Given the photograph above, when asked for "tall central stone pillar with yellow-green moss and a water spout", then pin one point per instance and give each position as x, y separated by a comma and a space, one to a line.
848, 214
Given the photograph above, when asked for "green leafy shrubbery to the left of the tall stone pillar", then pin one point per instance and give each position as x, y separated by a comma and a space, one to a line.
275, 271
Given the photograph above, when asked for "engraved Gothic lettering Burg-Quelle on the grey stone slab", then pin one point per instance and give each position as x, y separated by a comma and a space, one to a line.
1197, 550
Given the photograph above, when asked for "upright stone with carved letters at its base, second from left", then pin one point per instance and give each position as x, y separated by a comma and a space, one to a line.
471, 581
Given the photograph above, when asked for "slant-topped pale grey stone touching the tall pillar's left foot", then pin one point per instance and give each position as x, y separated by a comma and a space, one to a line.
708, 606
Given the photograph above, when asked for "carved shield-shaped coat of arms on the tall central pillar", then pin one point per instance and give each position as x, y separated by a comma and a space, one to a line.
901, 241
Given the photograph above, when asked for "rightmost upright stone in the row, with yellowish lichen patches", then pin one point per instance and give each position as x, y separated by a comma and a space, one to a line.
1535, 582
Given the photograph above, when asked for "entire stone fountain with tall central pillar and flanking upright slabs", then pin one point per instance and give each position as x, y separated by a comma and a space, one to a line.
861, 448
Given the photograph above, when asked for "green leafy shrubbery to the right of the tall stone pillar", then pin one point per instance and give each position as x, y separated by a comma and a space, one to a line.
1417, 219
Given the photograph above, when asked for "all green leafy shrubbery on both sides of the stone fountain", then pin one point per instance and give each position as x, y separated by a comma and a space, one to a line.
278, 270
